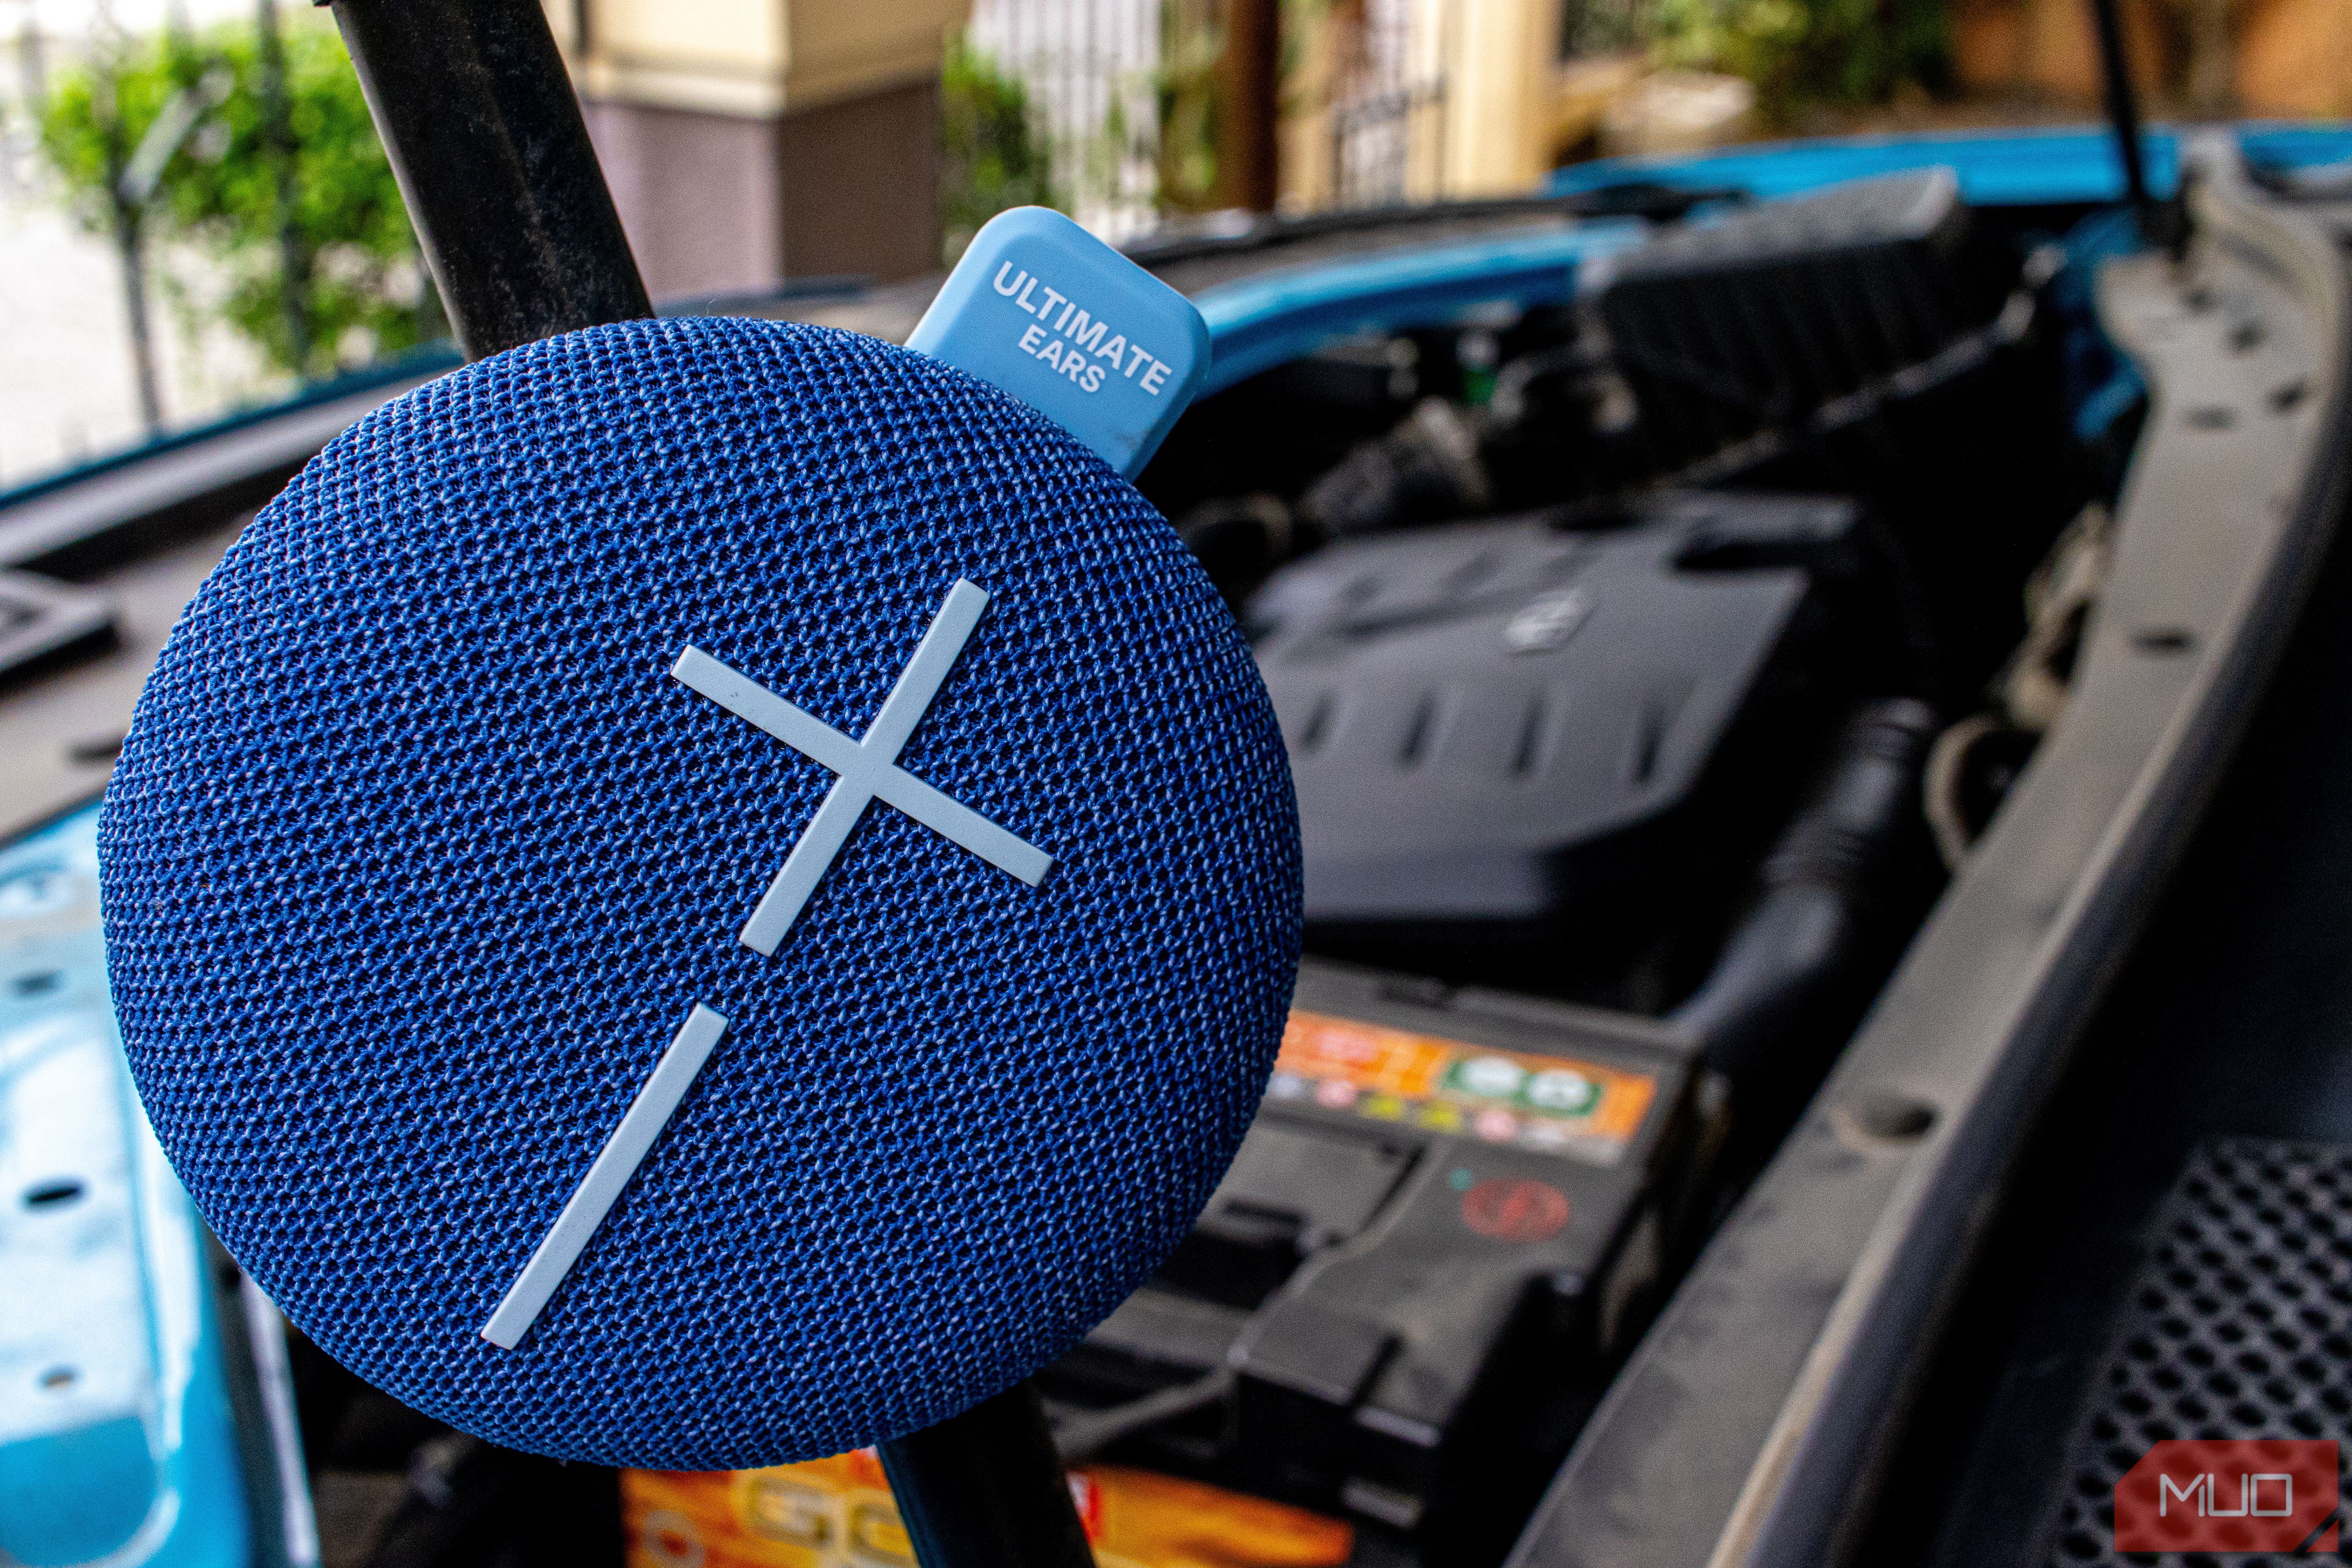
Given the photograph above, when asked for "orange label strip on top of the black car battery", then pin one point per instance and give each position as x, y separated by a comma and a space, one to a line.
1551, 1104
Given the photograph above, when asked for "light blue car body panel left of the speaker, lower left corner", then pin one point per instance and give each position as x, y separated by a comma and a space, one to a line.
116, 1435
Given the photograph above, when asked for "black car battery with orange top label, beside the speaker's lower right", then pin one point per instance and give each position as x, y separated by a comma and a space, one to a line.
1436, 1235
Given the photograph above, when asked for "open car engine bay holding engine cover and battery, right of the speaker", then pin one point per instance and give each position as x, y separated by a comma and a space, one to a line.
1617, 650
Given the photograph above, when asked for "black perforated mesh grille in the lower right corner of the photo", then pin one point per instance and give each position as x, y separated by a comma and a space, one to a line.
2238, 1327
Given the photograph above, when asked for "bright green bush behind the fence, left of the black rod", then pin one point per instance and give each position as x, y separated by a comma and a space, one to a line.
366, 293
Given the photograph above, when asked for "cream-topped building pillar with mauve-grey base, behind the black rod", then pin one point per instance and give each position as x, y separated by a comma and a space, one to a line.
763, 140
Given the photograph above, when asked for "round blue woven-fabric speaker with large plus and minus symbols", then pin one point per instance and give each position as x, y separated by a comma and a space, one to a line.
702, 894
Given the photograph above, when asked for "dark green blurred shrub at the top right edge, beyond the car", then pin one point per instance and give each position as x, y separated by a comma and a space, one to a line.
1798, 53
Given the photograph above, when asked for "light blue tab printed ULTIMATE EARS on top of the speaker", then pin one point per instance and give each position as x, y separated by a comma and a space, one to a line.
1071, 328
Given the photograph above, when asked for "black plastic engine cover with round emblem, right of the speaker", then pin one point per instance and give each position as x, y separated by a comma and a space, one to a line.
1490, 723
